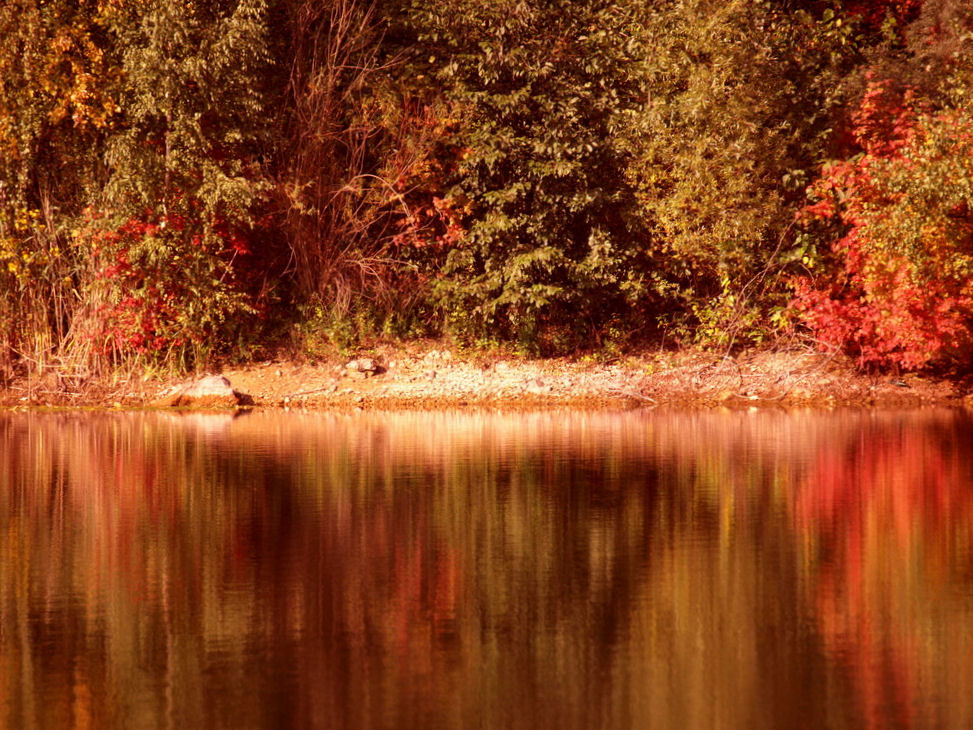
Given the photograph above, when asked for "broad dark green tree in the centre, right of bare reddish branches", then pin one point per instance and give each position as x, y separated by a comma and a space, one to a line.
541, 92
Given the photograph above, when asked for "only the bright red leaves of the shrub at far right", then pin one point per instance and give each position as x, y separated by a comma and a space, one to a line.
879, 303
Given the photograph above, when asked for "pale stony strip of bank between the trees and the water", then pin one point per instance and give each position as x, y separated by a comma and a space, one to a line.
423, 377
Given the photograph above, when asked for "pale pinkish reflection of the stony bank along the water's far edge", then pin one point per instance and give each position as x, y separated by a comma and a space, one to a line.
680, 436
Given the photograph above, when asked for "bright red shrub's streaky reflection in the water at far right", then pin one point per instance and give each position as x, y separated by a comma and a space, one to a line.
880, 522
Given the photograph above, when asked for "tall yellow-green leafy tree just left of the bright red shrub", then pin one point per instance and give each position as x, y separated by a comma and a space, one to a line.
738, 100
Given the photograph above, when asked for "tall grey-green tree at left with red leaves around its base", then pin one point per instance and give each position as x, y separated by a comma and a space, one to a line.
185, 176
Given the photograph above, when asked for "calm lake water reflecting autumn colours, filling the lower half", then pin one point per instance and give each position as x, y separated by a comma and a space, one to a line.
573, 570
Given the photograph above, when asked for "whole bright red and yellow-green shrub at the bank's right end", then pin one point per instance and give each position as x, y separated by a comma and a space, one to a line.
901, 293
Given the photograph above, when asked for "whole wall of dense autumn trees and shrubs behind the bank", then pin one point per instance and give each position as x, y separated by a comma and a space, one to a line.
188, 180
